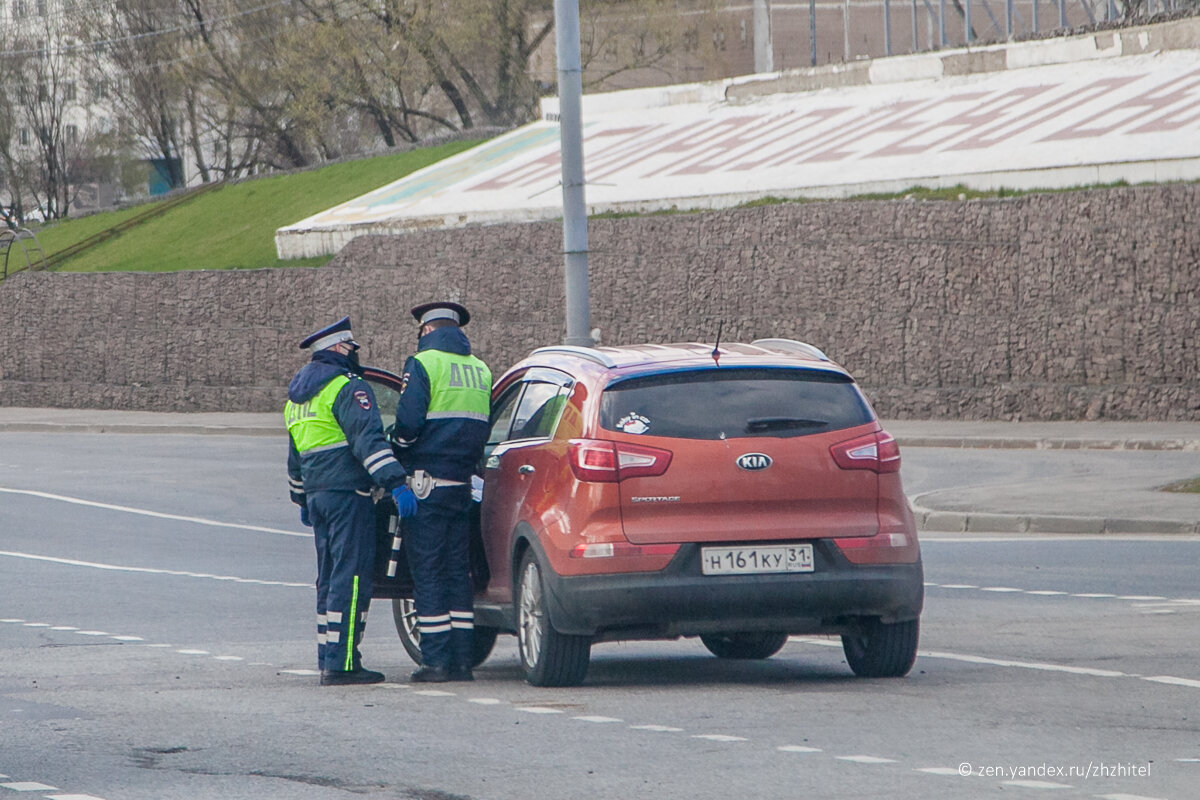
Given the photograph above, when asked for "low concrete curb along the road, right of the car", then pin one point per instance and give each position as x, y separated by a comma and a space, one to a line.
958, 522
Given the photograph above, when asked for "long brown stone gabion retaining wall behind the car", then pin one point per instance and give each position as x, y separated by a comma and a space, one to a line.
1082, 305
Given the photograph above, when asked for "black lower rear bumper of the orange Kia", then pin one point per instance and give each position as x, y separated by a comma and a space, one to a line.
681, 601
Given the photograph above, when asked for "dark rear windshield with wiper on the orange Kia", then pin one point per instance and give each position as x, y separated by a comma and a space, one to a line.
733, 404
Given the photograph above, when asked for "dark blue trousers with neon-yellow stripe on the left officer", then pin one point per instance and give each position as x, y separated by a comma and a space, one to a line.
344, 530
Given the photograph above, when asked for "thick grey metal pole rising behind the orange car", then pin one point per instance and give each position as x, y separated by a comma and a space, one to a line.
575, 210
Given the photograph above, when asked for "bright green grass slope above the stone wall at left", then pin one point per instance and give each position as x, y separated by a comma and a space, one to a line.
232, 227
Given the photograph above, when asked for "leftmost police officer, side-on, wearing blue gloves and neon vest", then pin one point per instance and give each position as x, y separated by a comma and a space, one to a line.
337, 454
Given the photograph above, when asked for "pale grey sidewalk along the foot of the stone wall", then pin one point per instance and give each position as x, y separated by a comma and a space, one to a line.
1048, 478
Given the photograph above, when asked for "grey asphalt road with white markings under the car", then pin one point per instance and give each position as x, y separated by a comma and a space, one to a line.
157, 639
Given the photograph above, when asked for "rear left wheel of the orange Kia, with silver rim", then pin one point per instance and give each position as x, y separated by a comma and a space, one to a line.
548, 658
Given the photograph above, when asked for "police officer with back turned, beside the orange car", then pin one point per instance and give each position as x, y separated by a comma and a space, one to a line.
442, 429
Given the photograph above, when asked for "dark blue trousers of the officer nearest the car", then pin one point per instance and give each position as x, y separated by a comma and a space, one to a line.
439, 540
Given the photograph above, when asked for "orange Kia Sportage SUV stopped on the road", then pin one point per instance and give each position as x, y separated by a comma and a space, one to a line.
740, 495
